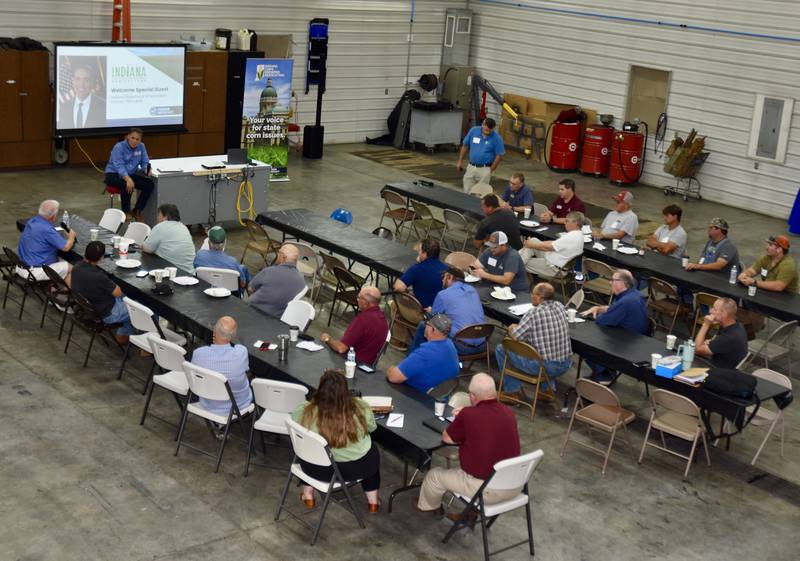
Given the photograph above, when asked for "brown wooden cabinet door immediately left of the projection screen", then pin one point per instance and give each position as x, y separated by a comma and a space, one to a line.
35, 95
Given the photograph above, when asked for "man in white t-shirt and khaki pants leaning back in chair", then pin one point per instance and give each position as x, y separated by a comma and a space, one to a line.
545, 258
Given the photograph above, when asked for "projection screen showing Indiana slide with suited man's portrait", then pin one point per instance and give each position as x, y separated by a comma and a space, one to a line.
101, 87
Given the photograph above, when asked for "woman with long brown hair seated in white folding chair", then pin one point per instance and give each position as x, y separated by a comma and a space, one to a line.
345, 422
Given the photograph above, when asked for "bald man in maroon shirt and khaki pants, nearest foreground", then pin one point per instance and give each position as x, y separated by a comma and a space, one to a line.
486, 433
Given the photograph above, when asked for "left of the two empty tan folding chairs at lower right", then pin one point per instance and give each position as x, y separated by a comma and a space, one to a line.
598, 408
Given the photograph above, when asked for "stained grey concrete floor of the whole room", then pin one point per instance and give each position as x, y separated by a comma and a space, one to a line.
82, 479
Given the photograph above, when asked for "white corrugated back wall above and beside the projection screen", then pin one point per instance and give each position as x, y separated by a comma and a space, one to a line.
367, 51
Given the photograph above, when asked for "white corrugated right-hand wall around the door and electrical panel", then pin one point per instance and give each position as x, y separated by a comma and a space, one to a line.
553, 51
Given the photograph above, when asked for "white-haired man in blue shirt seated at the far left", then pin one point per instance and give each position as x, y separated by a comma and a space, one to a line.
40, 243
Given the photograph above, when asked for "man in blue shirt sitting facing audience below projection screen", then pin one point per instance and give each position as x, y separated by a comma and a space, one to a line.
127, 169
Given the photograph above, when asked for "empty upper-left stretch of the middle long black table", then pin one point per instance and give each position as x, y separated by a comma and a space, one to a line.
382, 255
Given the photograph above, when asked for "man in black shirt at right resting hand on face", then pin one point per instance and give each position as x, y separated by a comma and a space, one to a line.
729, 346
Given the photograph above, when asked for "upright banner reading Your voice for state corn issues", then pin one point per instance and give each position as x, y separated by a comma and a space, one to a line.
266, 111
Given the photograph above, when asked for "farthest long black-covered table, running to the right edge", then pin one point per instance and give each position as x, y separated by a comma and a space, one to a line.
778, 304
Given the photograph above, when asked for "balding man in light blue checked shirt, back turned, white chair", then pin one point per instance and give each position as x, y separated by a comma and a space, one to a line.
231, 361
